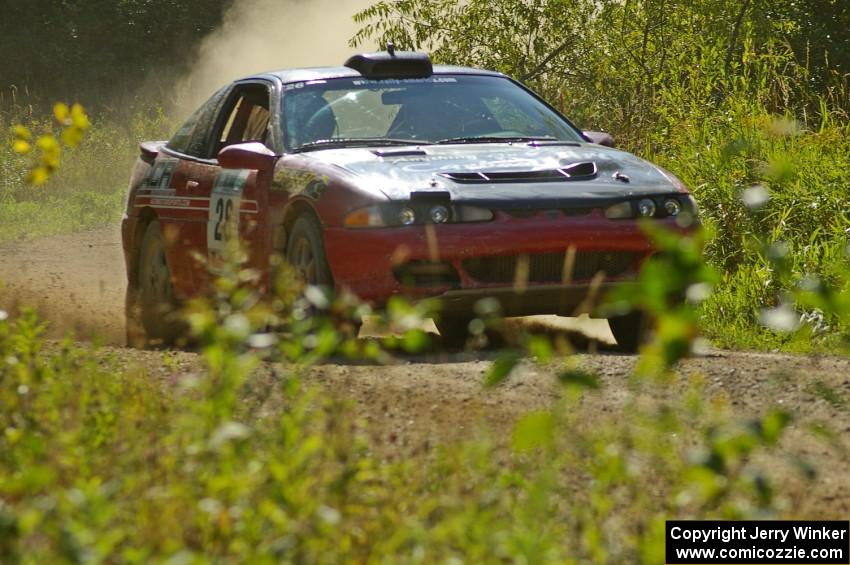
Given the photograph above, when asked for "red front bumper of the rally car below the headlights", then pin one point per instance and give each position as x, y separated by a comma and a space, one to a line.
363, 261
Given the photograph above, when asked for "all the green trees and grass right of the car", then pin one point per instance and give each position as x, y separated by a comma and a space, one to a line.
726, 94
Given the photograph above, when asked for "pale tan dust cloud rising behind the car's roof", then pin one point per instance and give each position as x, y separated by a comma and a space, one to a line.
262, 35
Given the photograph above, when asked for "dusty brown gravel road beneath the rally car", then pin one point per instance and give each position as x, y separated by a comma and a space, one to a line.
77, 283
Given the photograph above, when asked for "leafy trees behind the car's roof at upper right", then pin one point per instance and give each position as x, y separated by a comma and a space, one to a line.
636, 67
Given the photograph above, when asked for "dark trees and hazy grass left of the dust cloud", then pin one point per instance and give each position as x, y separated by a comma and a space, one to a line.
120, 61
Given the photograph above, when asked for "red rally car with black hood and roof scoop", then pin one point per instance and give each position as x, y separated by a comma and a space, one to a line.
387, 176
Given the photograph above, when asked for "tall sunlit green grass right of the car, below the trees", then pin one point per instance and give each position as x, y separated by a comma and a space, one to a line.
799, 233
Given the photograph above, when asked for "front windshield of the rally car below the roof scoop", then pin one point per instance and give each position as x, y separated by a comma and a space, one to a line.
442, 108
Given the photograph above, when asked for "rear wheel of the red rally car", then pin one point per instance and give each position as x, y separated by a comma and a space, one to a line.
152, 308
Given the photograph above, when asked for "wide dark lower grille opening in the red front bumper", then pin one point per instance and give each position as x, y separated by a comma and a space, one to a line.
549, 267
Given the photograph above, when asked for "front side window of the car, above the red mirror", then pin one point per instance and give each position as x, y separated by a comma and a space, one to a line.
245, 117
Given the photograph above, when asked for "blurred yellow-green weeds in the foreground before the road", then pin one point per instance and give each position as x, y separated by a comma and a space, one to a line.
246, 462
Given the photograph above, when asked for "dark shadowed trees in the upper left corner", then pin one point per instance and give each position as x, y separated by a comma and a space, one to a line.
91, 49
